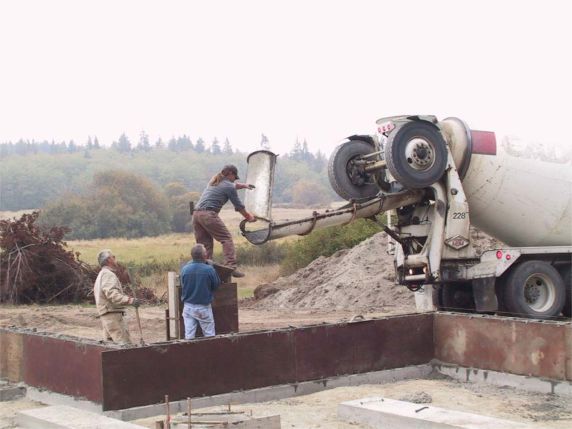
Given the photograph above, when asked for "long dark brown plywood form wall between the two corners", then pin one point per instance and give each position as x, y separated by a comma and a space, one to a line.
246, 361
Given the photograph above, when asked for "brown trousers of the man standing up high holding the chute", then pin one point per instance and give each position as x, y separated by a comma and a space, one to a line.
208, 225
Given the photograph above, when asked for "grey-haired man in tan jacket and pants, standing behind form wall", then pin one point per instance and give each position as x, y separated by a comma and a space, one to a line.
110, 300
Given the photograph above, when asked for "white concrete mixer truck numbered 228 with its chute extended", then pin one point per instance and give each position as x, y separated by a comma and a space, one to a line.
441, 177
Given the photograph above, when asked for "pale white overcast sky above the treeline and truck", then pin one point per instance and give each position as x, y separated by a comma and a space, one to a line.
314, 70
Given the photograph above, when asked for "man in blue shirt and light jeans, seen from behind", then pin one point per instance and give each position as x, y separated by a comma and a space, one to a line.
199, 281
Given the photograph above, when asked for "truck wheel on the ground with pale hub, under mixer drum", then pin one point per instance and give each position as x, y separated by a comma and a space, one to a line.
534, 289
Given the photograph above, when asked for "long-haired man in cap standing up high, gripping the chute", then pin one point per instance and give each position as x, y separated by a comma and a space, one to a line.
207, 224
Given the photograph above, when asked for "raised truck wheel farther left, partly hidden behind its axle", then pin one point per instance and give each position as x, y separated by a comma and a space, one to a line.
345, 177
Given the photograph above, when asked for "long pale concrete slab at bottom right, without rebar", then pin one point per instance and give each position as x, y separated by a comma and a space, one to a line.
377, 412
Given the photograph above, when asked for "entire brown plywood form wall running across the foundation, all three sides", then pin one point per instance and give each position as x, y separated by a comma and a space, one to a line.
122, 378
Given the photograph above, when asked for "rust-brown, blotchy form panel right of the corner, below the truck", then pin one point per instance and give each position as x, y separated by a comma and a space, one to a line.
517, 346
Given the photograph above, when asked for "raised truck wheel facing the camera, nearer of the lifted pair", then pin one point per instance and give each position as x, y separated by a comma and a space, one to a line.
416, 155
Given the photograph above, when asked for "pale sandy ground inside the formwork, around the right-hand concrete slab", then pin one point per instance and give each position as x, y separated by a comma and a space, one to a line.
319, 410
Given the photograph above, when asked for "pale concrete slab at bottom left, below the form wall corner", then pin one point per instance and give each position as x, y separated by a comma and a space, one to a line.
63, 417
